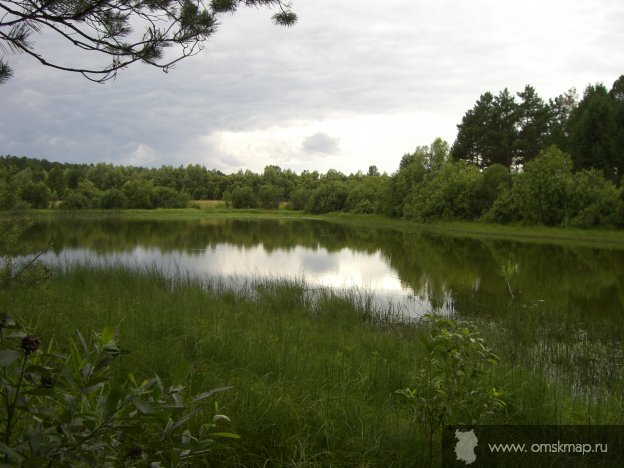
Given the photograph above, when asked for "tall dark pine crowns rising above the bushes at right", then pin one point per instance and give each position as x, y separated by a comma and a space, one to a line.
500, 129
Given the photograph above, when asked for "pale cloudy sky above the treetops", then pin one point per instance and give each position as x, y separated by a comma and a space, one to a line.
352, 84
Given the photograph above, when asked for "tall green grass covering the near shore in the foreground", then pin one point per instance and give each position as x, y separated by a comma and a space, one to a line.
314, 378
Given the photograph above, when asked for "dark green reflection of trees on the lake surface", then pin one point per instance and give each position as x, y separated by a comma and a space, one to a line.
581, 281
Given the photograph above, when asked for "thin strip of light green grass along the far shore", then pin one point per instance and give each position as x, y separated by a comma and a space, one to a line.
607, 238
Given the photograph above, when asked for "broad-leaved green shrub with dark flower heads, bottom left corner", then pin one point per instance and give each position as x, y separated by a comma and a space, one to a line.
68, 409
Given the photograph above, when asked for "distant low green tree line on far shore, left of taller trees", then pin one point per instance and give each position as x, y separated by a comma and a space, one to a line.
34, 183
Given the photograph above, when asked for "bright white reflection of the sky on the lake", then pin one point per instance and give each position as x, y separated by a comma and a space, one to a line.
343, 270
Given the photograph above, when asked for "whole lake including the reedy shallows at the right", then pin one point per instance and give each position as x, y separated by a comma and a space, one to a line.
557, 306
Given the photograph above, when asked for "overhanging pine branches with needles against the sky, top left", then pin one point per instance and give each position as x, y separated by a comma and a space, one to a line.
117, 33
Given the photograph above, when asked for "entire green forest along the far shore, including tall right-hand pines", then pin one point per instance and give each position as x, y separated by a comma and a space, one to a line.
516, 158
